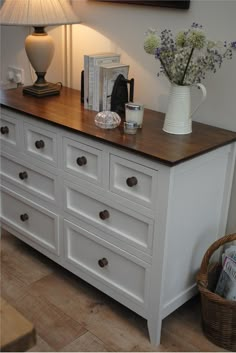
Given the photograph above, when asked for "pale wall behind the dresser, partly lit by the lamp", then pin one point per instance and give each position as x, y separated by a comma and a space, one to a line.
121, 28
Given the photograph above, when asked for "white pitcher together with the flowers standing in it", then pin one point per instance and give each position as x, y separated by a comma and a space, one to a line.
184, 60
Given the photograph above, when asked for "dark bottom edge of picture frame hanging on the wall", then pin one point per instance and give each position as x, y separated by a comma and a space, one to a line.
178, 4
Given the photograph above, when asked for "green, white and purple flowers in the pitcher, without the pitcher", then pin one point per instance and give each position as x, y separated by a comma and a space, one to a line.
187, 57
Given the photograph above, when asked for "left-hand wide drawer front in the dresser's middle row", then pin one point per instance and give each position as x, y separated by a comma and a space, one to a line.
35, 181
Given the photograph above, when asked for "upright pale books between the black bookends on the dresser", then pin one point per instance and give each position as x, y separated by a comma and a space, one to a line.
100, 73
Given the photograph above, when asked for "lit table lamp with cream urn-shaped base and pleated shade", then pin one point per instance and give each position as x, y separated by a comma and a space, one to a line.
39, 45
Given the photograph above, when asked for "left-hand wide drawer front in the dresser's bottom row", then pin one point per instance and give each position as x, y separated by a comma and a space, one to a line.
33, 221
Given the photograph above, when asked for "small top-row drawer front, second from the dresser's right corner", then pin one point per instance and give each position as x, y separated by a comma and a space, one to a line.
82, 160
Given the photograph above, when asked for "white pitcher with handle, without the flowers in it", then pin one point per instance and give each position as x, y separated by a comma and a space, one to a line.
178, 119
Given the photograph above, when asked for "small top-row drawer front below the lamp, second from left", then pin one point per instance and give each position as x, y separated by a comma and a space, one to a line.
40, 143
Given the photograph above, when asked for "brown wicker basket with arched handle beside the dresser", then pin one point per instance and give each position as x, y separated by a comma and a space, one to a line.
218, 314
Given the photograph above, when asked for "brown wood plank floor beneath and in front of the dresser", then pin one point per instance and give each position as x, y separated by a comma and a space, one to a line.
71, 316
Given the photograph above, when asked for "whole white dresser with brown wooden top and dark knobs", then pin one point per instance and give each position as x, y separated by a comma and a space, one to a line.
133, 223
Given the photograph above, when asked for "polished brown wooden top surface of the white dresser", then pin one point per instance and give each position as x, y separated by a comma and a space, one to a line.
66, 110
